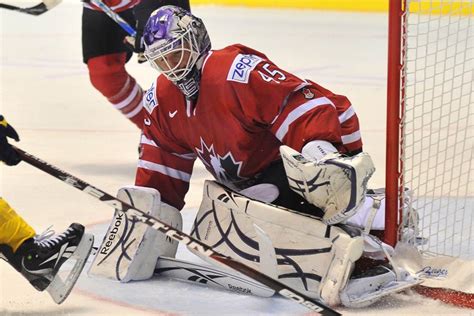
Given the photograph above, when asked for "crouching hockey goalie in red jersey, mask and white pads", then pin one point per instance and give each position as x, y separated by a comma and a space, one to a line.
290, 193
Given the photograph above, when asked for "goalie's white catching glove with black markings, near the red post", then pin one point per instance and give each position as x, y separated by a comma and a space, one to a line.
333, 183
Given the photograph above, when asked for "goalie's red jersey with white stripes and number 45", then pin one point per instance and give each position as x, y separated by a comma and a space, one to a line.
247, 108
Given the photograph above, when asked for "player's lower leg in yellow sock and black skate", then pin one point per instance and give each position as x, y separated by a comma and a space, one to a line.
38, 258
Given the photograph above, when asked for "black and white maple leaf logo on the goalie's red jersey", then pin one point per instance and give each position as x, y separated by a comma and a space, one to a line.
225, 168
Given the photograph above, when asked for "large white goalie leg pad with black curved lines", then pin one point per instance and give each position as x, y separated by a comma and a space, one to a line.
308, 255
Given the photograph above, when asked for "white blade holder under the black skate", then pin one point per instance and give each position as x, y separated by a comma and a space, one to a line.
59, 289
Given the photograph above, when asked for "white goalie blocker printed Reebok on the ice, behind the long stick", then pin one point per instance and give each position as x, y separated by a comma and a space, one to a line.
130, 248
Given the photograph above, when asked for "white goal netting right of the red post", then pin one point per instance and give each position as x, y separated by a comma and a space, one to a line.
437, 123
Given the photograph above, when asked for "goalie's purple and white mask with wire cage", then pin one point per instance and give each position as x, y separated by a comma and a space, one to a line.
175, 45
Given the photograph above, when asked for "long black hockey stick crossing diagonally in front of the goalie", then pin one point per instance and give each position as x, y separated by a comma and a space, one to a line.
176, 234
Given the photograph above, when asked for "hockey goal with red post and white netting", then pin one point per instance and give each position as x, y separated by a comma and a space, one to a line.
430, 135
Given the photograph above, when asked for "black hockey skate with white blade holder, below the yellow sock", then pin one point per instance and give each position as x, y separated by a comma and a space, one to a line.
39, 259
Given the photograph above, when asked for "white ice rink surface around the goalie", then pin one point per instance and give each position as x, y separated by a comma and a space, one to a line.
46, 94
